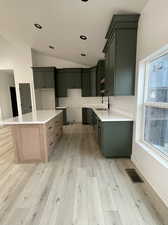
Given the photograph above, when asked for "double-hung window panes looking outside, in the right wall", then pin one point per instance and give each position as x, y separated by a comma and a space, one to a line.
155, 130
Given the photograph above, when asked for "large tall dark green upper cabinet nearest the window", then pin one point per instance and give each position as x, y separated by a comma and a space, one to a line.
120, 54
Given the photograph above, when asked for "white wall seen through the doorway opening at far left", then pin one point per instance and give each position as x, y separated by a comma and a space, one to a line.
6, 81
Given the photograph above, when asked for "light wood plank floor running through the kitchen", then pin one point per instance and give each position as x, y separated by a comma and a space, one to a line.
77, 187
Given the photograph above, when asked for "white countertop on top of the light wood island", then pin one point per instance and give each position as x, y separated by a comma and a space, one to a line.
39, 117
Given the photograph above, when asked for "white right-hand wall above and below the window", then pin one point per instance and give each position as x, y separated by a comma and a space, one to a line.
152, 35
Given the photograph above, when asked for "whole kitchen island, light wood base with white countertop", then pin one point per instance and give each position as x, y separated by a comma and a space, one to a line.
36, 134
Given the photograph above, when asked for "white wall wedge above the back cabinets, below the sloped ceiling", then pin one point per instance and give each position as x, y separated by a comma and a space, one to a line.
40, 59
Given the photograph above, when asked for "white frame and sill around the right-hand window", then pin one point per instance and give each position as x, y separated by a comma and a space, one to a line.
142, 100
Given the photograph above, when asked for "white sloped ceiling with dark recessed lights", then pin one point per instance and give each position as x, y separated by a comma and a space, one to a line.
63, 22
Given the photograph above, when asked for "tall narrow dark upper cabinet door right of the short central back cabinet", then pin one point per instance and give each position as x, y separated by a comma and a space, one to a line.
86, 89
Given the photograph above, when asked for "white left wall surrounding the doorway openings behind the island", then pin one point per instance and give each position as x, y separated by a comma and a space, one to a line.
17, 57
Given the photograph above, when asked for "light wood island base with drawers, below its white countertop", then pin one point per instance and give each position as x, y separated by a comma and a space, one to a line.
35, 142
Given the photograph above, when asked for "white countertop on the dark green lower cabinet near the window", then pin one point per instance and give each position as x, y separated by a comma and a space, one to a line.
107, 115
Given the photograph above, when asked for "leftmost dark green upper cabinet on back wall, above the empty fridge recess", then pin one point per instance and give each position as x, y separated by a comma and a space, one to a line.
44, 77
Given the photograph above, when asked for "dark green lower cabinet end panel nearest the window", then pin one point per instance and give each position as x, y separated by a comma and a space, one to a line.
115, 138
